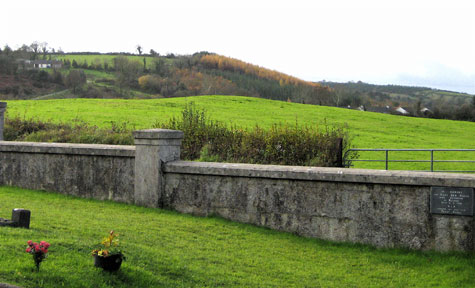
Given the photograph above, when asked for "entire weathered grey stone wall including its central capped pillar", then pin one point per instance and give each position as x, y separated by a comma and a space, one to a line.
381, 208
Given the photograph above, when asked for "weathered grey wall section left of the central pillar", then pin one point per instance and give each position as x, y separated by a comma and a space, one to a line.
94, 171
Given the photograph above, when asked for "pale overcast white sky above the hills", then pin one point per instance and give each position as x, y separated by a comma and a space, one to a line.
417, 42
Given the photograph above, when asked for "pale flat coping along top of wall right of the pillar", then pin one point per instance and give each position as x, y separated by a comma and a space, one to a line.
322, 174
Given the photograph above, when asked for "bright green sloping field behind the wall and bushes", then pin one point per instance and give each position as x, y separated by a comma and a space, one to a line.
369, 130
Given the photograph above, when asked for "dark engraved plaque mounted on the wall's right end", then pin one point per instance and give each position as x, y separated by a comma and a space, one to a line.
452, 201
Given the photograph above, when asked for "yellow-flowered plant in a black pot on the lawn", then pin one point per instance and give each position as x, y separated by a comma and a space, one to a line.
109, 257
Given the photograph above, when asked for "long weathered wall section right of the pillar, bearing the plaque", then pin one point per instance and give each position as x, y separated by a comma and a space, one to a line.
382, 208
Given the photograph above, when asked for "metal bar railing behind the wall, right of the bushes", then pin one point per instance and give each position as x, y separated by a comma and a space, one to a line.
347, 163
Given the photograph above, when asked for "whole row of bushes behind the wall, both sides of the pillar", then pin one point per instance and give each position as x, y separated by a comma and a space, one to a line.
205, 139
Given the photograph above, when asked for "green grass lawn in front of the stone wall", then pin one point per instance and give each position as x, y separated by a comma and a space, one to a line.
167, 249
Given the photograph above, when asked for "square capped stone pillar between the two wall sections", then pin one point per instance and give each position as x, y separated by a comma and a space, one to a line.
153, 148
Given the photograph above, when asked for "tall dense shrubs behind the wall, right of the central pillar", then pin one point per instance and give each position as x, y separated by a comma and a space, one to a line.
209, 140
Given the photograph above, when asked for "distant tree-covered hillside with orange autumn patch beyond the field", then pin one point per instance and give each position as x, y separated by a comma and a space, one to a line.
128, 76
